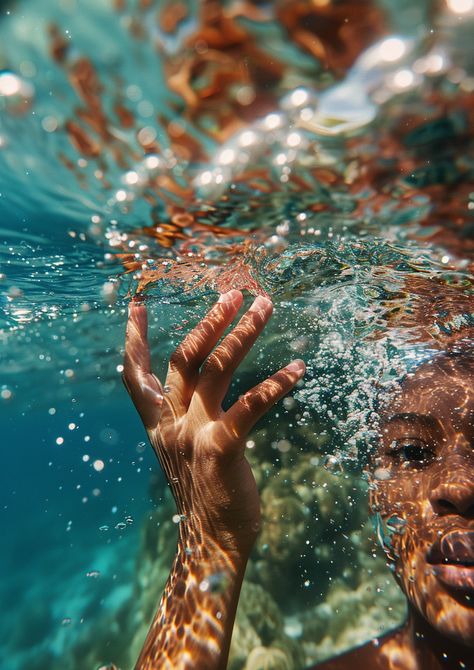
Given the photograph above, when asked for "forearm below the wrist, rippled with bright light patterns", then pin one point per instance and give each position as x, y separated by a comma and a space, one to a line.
192, 627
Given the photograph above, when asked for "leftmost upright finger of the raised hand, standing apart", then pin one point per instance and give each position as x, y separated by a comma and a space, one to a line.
144, 388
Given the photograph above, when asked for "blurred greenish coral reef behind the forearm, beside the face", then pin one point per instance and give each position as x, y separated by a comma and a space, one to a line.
314, 585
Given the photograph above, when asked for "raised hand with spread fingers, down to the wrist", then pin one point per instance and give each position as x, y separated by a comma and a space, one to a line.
200, 446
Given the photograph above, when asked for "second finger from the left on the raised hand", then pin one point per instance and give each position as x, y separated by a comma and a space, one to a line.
183, 370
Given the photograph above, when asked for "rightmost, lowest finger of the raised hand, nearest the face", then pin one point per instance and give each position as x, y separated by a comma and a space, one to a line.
244, 414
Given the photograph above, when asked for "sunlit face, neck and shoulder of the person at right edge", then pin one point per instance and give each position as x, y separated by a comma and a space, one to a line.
426, 494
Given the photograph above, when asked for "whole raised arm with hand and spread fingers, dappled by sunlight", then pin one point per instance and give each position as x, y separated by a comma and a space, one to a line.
201, 450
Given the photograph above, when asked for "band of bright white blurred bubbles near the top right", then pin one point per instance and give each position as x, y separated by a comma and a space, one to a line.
388, 68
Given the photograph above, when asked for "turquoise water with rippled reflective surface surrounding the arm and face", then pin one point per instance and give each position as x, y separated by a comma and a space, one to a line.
340, 188
